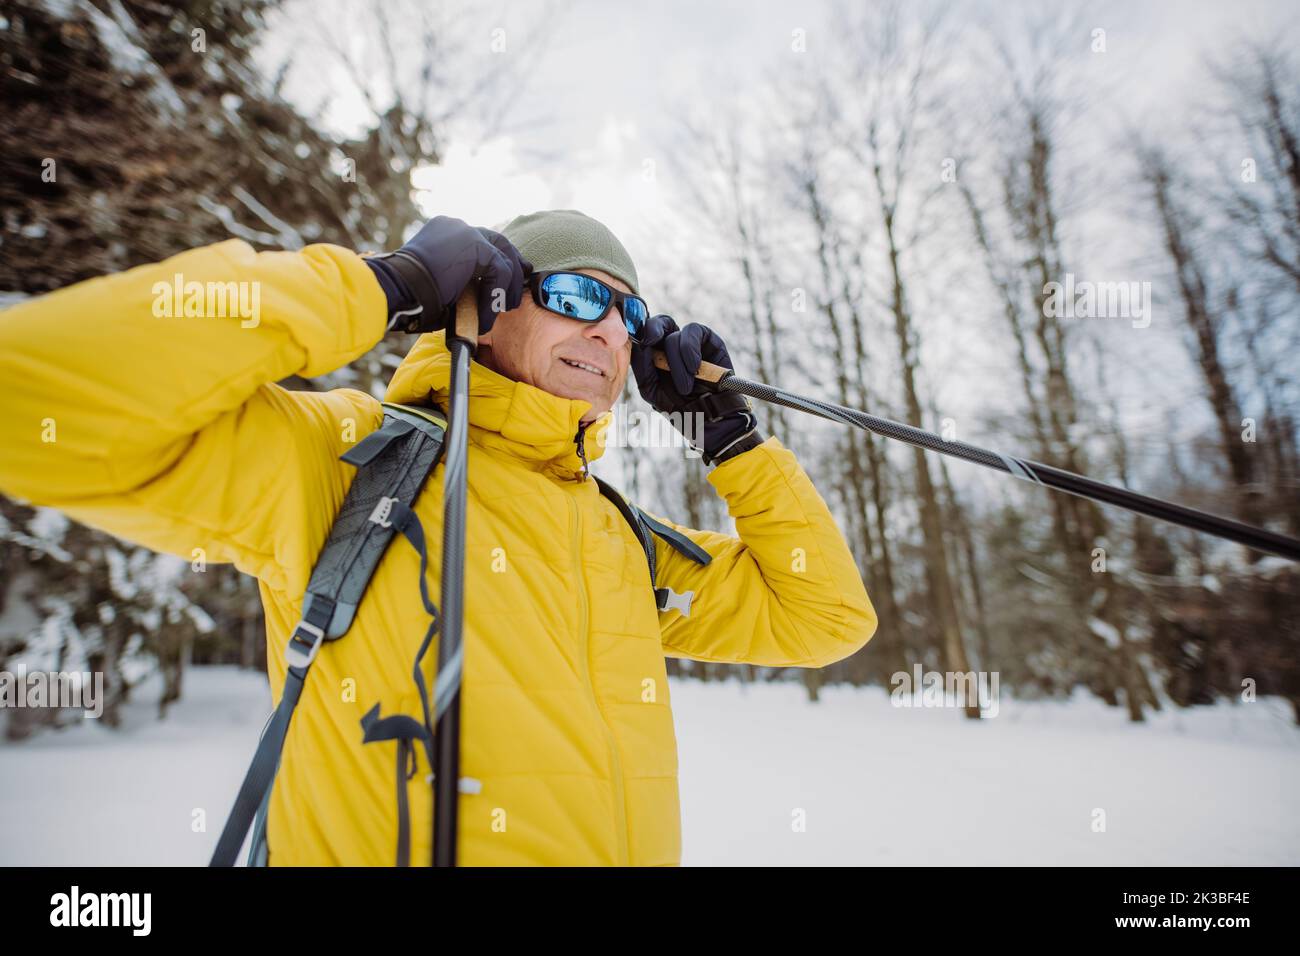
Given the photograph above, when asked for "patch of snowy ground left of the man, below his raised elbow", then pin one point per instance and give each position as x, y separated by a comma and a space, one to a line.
93, 797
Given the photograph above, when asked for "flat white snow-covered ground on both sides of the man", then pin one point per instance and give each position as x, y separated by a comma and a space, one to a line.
873, 784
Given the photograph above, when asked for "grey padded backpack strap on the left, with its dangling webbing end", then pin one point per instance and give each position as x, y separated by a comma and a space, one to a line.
393, 465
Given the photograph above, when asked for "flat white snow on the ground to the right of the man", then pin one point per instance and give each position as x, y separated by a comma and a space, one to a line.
926, 788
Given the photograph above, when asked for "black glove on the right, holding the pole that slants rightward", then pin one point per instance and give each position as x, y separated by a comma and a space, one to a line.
730, 423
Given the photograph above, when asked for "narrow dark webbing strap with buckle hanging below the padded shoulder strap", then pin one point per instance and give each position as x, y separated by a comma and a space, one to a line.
304, 646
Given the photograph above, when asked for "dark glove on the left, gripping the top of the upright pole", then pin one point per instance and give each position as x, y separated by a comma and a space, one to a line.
424, 279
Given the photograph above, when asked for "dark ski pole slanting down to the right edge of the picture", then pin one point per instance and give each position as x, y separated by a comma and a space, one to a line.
1204, 522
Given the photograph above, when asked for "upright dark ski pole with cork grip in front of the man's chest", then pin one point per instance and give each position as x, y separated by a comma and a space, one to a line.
462, 341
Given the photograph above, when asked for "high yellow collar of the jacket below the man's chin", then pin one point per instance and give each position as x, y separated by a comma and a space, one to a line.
505, 416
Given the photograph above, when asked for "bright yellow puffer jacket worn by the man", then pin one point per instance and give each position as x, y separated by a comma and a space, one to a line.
171, 432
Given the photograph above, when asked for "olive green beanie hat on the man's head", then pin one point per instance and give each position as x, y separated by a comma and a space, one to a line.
567, 240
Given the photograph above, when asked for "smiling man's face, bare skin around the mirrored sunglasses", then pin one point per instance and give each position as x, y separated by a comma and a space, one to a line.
541, 349
